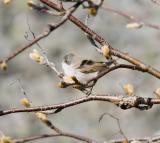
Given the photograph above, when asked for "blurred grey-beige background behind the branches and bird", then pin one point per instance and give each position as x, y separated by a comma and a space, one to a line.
40, 83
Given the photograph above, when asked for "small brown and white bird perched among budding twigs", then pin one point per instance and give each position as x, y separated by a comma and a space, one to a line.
82, 69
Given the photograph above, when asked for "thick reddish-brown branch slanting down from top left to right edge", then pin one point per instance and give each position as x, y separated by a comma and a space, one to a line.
99, 39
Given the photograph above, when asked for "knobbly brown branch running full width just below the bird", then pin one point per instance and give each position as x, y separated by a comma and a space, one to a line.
121, 101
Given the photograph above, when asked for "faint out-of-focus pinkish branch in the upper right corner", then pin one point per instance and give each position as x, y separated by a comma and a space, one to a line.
131, 18
